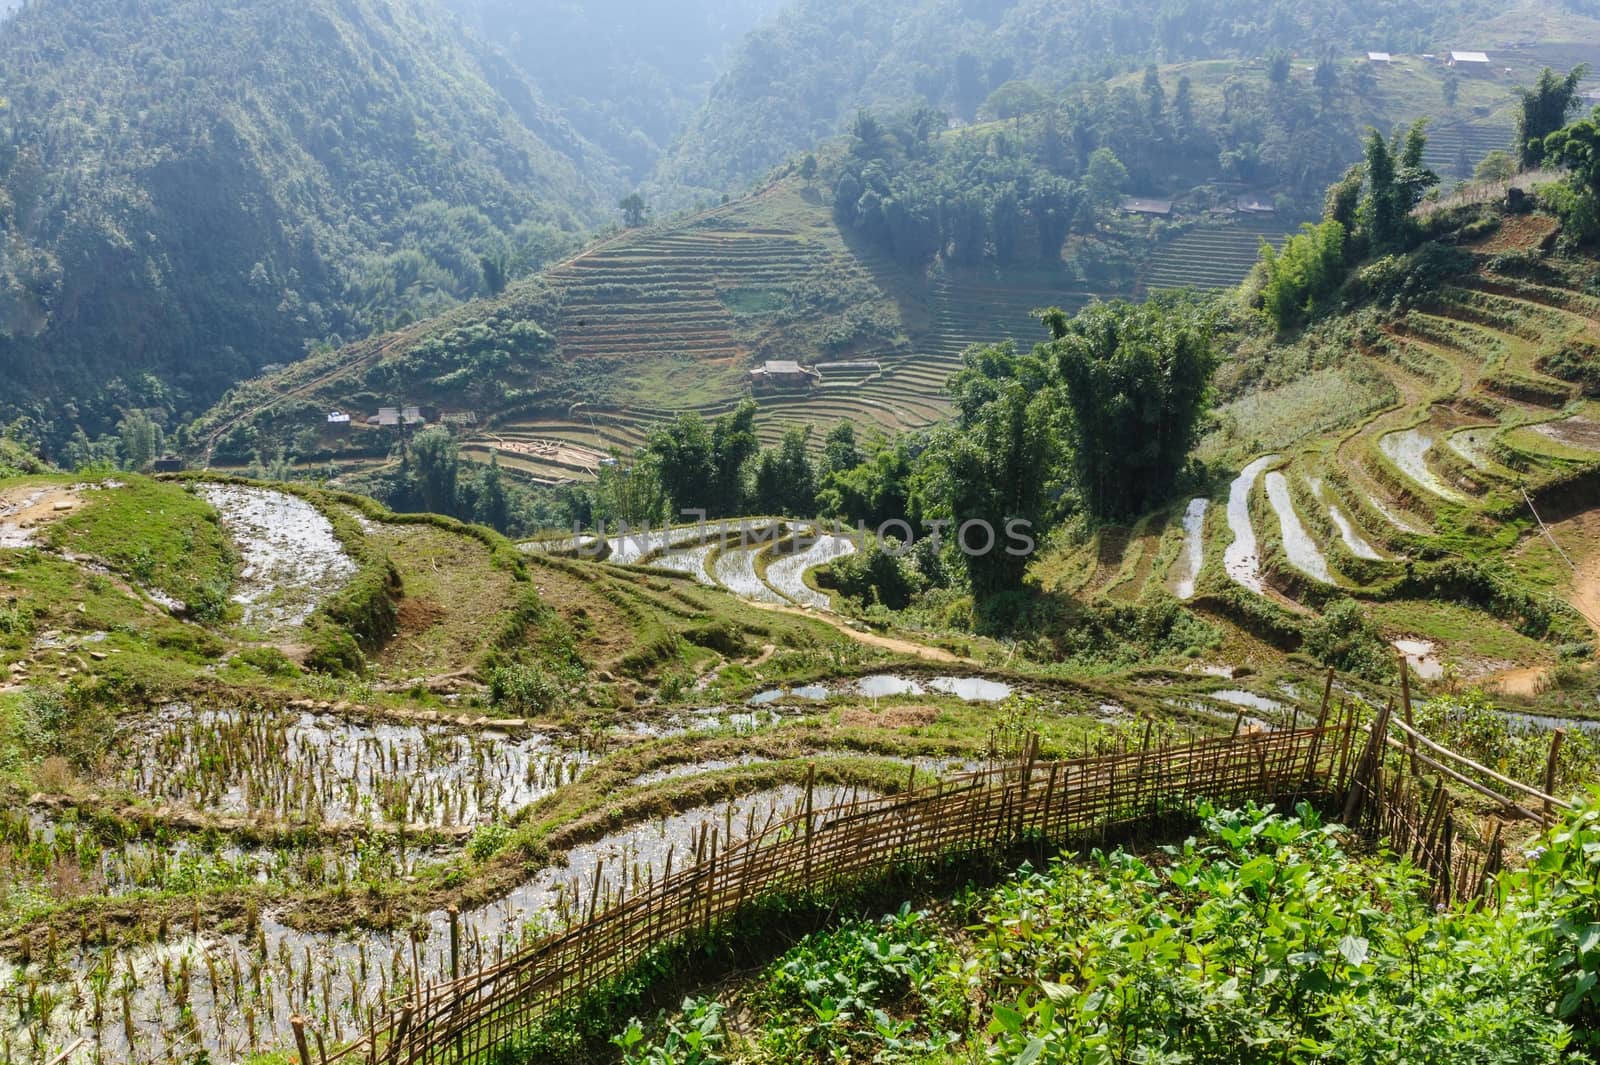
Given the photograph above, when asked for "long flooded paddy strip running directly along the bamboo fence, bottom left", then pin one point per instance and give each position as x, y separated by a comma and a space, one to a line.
233, 995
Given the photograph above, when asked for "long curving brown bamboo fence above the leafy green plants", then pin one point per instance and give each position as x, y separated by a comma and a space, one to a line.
820, 852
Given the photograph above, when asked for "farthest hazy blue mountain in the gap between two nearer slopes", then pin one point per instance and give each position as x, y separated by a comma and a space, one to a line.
628, 74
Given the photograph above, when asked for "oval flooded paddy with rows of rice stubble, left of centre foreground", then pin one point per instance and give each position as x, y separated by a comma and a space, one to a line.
303, 767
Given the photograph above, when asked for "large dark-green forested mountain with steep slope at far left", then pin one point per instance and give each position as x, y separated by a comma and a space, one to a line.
191, 189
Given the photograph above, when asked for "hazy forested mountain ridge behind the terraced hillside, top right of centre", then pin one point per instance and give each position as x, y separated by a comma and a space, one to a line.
802, 76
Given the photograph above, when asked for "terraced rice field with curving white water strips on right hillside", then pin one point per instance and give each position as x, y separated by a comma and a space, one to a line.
1473, 418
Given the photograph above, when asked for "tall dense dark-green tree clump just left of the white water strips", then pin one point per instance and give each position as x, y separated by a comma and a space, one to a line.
1137, 381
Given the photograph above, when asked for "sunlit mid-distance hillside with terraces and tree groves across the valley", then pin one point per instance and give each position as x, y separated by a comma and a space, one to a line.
666, 319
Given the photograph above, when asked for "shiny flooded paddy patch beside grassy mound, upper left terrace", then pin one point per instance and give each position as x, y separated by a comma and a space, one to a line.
292, 557
